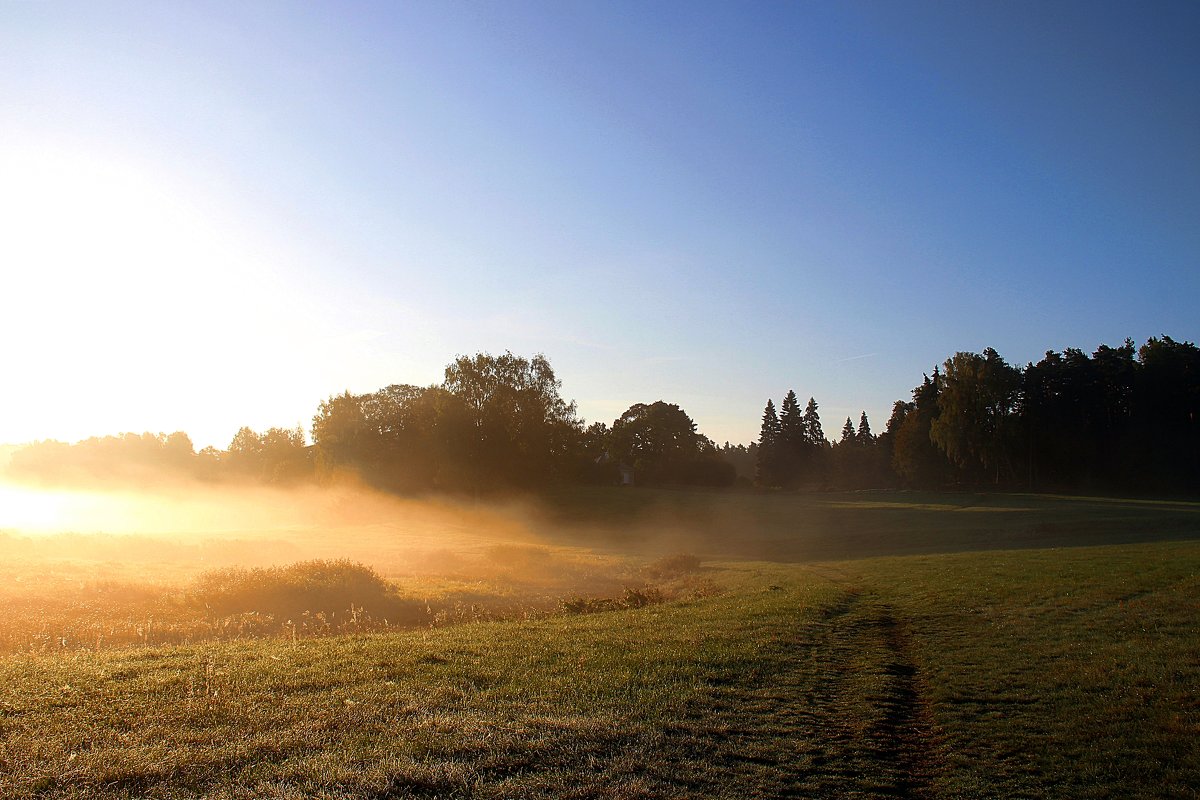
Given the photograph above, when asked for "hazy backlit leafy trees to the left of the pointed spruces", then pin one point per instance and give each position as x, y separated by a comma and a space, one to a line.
495, 424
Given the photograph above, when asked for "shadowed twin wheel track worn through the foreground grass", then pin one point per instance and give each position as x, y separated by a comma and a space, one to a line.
833, 711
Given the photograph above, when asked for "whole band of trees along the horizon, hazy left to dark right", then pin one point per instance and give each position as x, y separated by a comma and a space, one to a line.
1121, 420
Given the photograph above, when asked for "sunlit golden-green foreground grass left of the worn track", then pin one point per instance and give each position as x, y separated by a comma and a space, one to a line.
530, 708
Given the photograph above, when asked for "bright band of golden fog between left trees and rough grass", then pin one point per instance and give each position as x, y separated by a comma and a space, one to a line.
181, 530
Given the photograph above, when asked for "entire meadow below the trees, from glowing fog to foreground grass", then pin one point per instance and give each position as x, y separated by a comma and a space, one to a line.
329, 641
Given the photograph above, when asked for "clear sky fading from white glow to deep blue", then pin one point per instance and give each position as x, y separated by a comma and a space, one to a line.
219, 215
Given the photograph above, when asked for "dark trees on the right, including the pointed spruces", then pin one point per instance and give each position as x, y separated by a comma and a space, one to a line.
1121, 420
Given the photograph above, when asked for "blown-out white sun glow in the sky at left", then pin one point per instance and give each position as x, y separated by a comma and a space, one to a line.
129, 303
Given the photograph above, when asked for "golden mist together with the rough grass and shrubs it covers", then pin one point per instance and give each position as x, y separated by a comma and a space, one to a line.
187, 562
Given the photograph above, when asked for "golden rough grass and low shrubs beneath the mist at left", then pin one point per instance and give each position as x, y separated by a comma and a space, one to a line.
57, 604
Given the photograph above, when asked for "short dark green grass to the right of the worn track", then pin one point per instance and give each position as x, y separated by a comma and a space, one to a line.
1059, 673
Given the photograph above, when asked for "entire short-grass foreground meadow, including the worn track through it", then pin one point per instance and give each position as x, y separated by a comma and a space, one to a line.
1033, 673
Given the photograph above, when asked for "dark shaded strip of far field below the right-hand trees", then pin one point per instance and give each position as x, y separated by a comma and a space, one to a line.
793, 527
